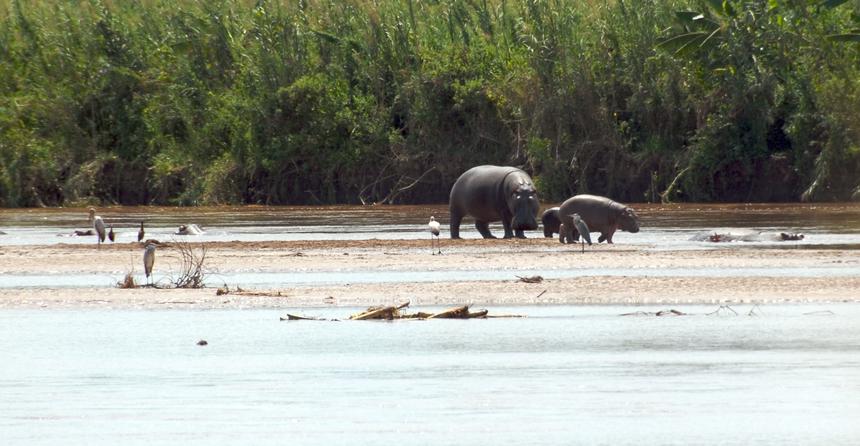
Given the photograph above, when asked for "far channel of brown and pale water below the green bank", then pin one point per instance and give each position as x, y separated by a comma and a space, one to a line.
668, 226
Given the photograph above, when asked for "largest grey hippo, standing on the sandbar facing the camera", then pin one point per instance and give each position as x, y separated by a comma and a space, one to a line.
493, 193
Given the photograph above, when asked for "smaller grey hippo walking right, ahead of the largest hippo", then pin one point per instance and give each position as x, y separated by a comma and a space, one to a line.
600, 214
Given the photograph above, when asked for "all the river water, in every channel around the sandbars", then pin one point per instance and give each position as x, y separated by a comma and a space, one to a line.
777, 374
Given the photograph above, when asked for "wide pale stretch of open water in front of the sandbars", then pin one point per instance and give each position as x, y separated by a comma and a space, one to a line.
564, 375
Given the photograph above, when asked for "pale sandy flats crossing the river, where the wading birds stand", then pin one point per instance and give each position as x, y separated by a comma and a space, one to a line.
374, 256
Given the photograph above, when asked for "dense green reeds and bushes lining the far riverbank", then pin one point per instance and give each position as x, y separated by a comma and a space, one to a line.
346, 101
